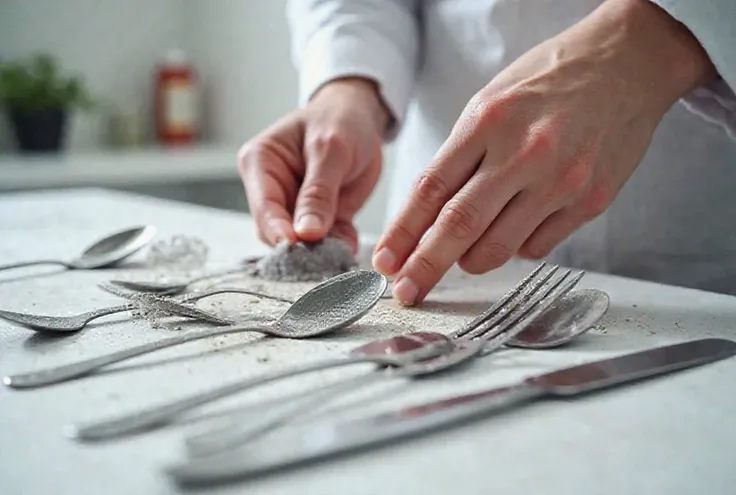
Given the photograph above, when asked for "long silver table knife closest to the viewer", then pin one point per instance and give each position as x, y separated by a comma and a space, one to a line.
321, 440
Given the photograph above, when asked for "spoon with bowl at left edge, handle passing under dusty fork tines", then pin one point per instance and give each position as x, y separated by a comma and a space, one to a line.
73, 323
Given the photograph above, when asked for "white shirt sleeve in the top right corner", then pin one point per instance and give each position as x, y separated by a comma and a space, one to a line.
713, 23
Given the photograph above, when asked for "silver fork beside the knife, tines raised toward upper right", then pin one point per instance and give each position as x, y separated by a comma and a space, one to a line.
493, 328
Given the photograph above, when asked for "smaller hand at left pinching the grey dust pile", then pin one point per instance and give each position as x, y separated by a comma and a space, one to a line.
308, 174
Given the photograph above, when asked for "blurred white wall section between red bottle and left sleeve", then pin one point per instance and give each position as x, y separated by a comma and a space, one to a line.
242, 51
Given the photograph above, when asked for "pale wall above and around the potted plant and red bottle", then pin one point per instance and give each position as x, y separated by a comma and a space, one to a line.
113, 44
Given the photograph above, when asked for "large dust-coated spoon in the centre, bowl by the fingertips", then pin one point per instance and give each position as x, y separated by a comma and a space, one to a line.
333, 304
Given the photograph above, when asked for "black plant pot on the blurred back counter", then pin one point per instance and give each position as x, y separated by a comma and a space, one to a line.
39, 130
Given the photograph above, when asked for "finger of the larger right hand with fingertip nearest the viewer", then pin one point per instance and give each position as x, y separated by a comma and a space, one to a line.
459, 225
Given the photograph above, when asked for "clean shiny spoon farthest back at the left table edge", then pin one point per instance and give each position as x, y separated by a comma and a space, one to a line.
105, 252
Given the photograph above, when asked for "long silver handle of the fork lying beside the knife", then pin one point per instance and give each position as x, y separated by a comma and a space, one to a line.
162, 414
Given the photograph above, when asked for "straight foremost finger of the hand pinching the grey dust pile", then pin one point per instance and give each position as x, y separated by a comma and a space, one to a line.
326, 159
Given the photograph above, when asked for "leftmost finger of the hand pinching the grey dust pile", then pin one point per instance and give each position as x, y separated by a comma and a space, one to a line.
269, 195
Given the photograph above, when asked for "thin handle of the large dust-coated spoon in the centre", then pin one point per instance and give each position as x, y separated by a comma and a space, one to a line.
65, 372
